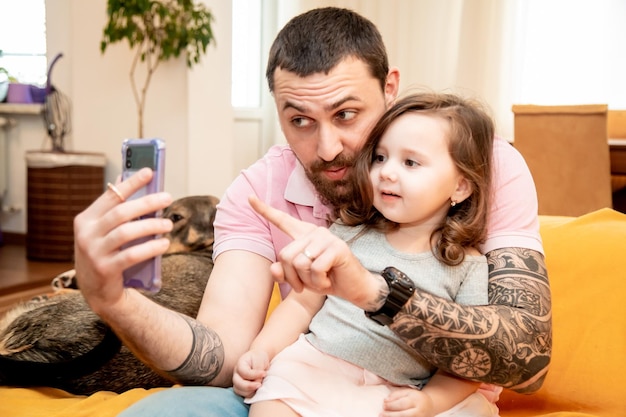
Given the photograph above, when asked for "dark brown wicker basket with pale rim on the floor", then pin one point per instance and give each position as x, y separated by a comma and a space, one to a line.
60, 185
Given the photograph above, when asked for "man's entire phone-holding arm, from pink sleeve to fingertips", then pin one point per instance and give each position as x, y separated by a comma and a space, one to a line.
202, 351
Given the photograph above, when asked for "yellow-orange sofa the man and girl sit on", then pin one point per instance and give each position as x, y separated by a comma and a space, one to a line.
586, 259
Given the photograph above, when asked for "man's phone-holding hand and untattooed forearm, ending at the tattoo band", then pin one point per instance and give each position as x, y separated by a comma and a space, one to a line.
159, 336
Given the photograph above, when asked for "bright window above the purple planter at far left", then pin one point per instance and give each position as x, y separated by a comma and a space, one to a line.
23, 40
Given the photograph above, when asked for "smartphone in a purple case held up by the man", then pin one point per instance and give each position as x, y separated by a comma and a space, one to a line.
137, 154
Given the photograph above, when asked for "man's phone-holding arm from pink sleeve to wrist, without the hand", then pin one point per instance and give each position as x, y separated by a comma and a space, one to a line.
200, 351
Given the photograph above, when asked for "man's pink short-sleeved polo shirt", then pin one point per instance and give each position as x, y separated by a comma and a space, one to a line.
279, 180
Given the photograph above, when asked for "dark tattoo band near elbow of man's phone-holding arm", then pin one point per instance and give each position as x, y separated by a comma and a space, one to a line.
205, 359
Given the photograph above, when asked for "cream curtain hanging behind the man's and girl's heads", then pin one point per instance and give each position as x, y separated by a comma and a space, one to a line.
453, 45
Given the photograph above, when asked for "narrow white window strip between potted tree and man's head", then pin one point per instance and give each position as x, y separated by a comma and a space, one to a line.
246, 69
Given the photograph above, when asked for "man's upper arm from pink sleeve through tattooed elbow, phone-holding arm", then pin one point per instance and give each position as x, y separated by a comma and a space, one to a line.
231, 315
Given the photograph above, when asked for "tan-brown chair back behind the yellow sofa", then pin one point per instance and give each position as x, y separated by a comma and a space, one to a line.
567, 152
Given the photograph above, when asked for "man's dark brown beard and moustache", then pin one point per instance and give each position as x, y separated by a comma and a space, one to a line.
334, 193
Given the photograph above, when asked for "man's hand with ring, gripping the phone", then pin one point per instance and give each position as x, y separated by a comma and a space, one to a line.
100, 232
